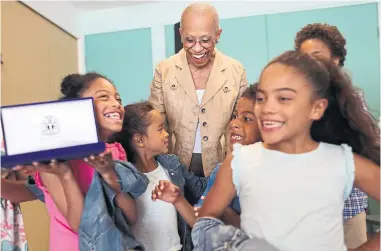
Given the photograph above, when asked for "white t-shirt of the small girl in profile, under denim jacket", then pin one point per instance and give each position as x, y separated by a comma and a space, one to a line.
156, 227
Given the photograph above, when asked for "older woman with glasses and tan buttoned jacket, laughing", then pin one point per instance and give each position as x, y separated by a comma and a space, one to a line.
197, 89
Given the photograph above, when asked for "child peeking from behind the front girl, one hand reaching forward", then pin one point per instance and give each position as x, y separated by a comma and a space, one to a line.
243, 129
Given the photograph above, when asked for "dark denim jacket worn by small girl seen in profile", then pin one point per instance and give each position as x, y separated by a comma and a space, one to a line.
191, 185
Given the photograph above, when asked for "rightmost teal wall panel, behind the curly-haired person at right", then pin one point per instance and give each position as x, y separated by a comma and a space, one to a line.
359, 26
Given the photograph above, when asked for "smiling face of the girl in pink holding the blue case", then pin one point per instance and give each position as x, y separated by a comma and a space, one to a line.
108, 107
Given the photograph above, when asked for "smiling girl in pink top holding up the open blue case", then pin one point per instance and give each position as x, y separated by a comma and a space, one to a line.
64, 184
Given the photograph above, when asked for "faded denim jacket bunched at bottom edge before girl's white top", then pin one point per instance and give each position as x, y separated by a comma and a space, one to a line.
211, 234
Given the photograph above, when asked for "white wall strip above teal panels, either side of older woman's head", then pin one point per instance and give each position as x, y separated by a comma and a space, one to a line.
162, 13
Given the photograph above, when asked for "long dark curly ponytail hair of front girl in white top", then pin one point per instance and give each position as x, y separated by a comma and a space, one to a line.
344, 121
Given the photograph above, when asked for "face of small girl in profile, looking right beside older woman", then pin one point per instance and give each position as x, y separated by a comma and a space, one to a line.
156, 141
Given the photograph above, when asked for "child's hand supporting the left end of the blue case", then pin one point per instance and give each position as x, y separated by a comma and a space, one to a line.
54, 167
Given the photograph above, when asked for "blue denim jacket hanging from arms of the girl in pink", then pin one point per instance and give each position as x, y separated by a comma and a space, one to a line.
103, 225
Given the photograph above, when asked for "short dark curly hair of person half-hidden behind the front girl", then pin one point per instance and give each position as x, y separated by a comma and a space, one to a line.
329, 34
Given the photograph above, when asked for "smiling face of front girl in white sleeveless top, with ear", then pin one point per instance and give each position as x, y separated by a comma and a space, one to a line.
285, 106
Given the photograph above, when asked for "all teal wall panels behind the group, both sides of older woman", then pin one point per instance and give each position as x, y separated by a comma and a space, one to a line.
126, 56
